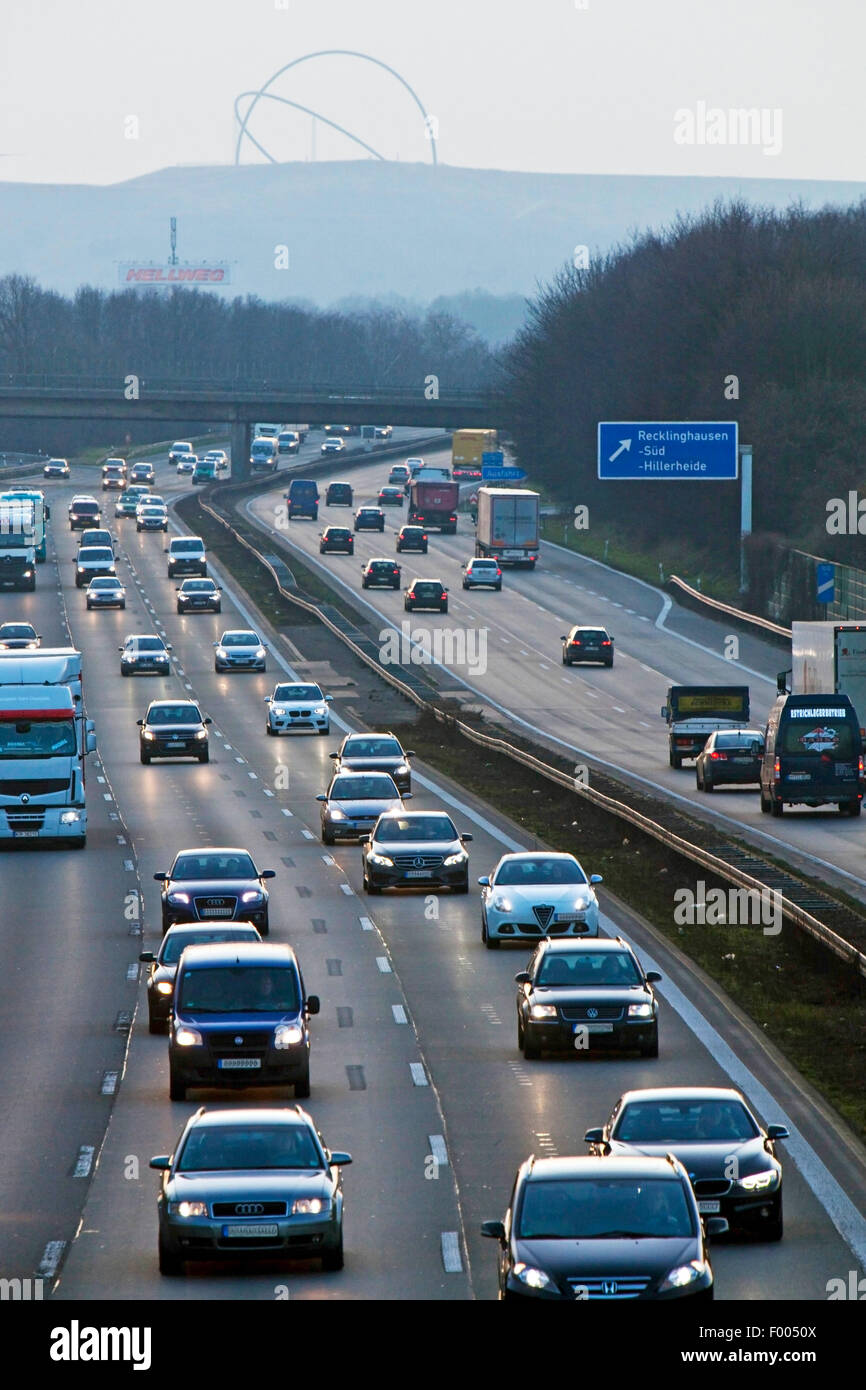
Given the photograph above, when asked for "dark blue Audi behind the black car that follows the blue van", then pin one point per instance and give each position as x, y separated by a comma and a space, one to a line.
211, 885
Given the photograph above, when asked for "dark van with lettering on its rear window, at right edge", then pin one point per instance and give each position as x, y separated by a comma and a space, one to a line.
814, 755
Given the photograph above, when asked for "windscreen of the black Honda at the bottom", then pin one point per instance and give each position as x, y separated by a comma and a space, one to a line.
604, 1209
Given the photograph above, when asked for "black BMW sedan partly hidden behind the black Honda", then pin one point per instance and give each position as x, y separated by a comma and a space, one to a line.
729, 1154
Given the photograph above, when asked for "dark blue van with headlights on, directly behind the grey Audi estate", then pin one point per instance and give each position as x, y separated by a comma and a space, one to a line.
240, 1017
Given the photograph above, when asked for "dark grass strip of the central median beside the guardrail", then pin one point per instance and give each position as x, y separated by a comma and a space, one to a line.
801, 997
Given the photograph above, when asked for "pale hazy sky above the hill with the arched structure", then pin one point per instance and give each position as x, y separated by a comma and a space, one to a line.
102, 91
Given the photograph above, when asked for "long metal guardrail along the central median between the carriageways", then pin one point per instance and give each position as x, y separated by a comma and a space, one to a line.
797, 915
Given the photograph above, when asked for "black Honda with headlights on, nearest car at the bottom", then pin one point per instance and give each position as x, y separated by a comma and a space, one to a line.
586, 1229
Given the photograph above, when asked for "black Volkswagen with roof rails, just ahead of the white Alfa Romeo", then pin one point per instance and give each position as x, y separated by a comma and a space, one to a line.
585, 995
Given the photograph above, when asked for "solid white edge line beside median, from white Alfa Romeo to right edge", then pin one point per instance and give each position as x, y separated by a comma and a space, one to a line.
849, 1221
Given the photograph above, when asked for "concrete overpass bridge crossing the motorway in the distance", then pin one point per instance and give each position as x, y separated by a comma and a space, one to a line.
238, 405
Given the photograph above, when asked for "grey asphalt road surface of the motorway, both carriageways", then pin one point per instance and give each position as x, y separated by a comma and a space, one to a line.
415, 1064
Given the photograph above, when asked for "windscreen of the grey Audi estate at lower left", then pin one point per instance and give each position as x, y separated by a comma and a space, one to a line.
252, 1147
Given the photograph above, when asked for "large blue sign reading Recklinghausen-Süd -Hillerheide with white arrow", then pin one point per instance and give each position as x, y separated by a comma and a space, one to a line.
658, 450
